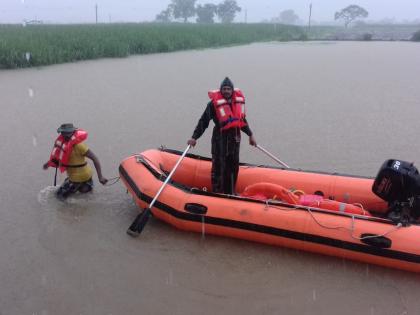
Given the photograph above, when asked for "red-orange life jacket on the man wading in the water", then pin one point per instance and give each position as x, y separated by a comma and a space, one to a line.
60, 154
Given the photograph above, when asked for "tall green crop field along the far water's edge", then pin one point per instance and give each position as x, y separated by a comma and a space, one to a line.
37, 45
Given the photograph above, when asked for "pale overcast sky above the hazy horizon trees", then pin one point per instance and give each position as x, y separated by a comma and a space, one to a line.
82, 11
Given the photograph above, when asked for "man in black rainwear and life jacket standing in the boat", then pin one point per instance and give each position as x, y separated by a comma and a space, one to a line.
227, 110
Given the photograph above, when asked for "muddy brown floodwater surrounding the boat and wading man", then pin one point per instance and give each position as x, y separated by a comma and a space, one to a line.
343, 107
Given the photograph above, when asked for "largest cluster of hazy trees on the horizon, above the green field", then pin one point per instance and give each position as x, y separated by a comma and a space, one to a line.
205, 13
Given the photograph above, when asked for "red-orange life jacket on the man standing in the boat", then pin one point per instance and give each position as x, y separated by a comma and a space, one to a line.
229, 115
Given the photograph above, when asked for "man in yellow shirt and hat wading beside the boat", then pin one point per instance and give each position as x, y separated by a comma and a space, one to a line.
69, 154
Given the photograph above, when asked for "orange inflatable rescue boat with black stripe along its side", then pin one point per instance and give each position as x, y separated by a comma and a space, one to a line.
325, 213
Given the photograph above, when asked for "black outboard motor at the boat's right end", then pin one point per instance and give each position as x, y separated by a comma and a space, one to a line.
398, 183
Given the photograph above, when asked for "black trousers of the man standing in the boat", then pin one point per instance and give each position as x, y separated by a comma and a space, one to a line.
225, 161
